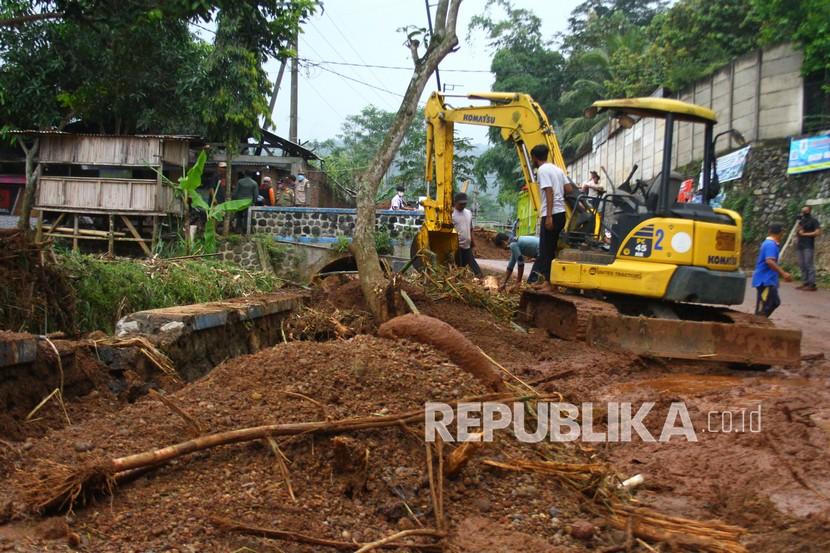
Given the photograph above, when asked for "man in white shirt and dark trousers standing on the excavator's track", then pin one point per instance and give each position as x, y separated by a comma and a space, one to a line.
553, 184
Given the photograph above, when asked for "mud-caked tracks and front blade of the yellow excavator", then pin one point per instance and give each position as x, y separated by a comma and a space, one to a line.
713, 334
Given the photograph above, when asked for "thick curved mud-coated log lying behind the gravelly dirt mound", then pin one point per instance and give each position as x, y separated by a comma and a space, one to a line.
440, 335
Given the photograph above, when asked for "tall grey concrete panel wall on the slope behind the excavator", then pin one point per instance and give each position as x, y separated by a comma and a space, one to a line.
759, 94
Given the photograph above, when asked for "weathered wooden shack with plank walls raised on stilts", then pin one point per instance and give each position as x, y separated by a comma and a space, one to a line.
113, 183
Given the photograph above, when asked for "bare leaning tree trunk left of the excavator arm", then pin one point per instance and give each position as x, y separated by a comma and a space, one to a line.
443, 41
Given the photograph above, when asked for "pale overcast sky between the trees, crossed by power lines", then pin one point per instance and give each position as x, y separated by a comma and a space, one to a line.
366, 32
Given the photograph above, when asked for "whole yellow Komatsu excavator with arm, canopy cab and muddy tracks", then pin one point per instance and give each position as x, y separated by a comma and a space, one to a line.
635, 270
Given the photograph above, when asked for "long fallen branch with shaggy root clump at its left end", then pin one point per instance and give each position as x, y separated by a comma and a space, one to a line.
52, 485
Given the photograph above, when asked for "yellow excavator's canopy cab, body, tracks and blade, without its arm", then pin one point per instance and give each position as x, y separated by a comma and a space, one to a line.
654, 277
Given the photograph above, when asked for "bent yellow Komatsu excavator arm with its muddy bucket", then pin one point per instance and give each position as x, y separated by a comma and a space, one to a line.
522, 122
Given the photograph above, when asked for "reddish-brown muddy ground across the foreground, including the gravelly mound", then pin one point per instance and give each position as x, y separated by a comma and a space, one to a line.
774, 482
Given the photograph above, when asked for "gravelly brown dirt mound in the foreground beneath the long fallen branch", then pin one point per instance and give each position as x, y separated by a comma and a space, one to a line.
385, 491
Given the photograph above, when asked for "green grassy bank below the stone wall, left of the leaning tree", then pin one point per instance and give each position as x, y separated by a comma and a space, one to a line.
107, 290
